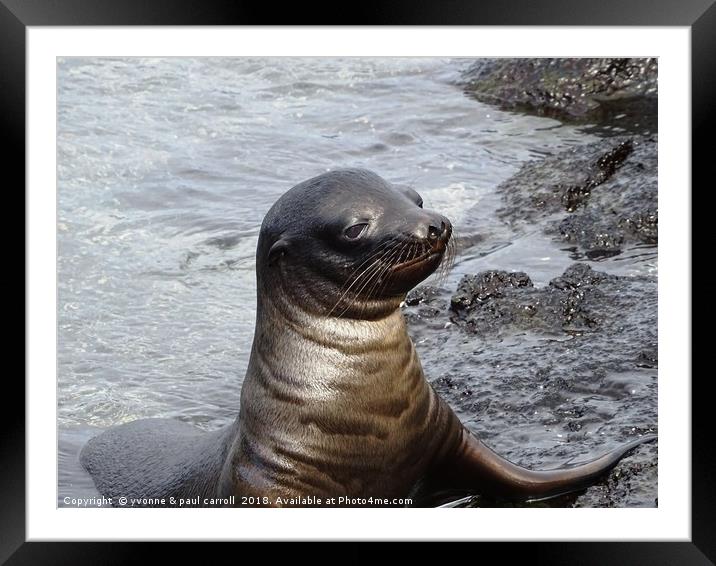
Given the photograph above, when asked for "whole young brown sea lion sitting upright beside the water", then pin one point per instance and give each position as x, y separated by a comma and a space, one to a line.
334, 403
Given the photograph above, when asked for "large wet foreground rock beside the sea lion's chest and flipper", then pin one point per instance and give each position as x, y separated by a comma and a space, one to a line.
552, 375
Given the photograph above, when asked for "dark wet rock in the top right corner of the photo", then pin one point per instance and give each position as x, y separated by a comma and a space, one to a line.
622, 92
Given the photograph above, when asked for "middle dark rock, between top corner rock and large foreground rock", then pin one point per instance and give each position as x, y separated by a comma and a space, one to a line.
604, 192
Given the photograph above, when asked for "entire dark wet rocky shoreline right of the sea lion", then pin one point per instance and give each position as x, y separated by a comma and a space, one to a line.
559, 373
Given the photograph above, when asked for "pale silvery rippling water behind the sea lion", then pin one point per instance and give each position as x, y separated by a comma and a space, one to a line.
166, 168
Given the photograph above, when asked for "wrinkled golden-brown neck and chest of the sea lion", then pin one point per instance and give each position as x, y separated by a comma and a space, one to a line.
334, 410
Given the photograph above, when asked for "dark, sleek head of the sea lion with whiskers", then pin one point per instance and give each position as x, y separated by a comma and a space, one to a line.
349, 244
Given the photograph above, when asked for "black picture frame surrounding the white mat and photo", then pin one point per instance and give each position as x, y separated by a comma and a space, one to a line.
16, 15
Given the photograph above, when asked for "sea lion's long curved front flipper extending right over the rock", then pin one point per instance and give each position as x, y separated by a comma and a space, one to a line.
476, 466
